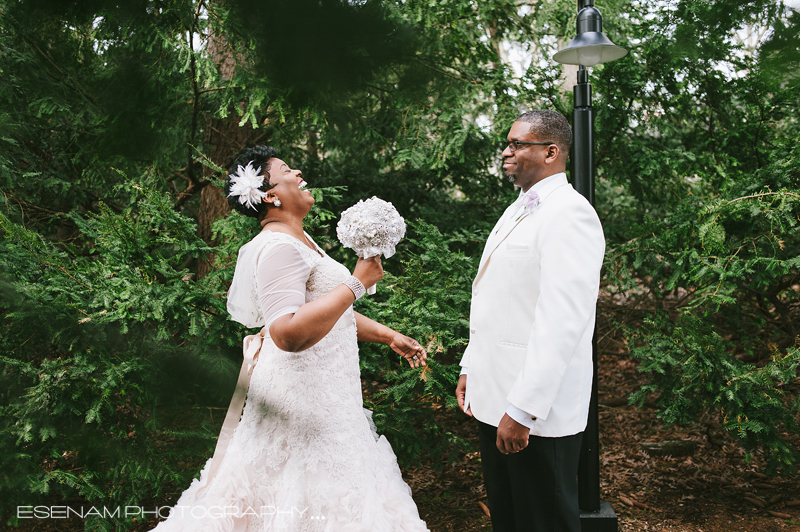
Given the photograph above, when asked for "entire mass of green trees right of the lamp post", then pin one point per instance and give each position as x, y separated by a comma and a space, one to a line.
698, 181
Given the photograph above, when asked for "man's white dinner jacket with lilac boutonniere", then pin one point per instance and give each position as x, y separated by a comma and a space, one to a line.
533, 311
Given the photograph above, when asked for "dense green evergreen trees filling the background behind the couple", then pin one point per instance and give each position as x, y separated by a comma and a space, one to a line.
119, 118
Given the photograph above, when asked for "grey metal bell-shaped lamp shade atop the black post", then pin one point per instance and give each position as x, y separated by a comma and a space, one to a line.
590, 46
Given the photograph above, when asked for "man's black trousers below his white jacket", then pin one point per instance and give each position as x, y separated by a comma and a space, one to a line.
534, 490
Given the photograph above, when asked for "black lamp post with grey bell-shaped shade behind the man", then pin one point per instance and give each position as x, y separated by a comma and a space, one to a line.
589, 47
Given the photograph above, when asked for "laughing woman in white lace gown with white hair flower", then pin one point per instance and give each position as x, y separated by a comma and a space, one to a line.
304, 456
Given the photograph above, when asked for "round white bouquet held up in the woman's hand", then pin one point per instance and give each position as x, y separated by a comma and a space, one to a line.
372, 227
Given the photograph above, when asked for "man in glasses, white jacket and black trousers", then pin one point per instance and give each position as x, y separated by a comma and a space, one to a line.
527, 372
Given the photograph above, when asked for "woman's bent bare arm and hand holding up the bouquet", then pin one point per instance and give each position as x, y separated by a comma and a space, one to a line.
301, 329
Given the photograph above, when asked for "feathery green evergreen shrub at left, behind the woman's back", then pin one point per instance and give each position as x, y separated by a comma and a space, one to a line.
96, 347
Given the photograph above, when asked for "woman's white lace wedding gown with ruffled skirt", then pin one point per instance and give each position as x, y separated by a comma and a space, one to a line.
304, 456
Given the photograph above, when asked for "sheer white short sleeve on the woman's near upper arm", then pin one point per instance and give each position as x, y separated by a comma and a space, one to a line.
281, 278
